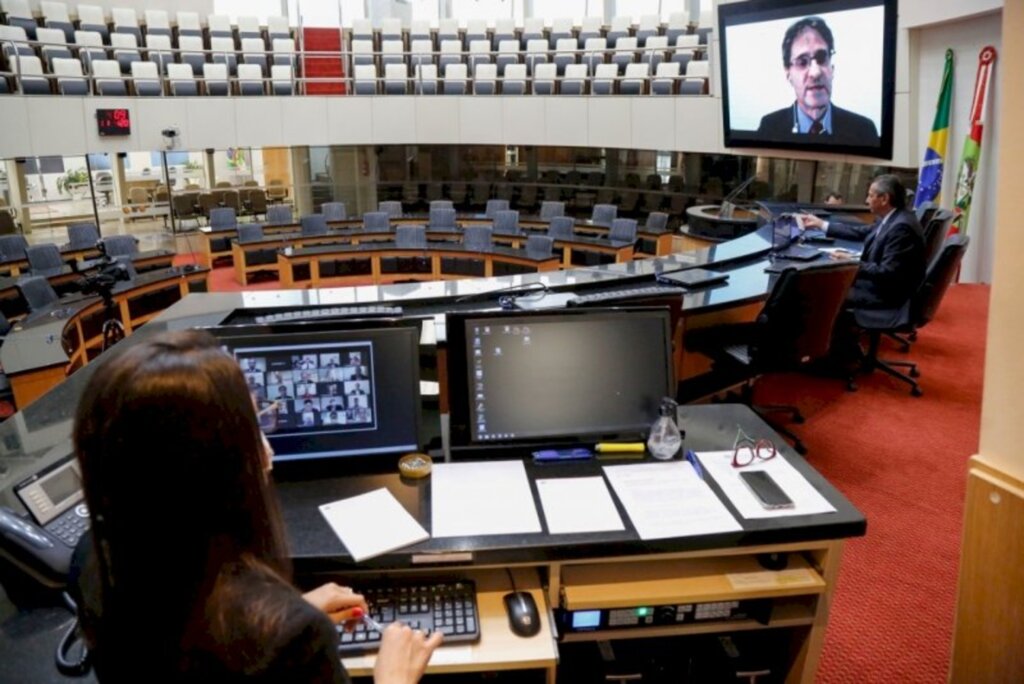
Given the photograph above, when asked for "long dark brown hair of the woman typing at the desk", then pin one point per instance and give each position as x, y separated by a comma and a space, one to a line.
174, 469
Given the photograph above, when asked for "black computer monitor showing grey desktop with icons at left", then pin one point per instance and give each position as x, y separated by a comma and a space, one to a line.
570, 376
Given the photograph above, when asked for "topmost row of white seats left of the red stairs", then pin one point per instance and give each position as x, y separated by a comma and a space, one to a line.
125, 21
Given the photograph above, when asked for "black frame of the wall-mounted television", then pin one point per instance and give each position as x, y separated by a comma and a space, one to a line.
729, 14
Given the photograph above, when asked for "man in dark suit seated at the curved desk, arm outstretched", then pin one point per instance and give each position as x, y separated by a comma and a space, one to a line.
892, 263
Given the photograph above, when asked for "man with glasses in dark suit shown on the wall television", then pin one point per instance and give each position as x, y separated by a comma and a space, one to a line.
807, 52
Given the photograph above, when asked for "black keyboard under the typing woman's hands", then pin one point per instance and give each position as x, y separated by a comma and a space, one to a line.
446, 608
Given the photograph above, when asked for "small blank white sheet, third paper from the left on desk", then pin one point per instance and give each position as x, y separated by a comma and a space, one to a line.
578, 505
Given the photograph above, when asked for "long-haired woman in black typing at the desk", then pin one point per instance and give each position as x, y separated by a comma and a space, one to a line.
188, 578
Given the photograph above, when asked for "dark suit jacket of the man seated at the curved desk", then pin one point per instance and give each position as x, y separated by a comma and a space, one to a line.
892, 263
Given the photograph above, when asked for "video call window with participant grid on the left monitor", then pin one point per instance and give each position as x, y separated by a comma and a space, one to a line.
312, 389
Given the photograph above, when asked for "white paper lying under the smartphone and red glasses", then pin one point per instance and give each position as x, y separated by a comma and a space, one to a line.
806, 499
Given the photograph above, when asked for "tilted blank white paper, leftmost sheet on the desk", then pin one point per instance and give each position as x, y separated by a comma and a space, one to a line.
373, 524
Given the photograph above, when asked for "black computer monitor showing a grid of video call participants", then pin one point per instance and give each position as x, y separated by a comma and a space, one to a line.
346, 390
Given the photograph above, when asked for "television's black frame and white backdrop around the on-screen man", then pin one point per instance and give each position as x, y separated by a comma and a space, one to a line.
754, 77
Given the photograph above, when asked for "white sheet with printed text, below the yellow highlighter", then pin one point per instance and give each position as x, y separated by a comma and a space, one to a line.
667, 500
